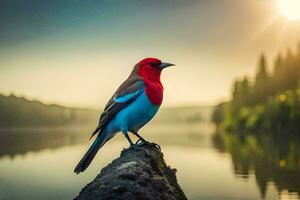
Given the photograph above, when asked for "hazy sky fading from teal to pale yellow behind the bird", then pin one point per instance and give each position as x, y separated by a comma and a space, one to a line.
77, 52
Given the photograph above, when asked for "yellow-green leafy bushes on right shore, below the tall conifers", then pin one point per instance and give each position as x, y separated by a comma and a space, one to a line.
277, 114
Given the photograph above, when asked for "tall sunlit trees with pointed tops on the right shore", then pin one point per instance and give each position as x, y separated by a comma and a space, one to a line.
269, 103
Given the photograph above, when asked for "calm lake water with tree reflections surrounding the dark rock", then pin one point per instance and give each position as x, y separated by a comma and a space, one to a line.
38, 164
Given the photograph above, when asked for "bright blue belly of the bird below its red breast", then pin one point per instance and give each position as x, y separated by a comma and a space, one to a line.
134, 116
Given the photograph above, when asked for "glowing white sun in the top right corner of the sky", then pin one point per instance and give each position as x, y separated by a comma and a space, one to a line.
289, 9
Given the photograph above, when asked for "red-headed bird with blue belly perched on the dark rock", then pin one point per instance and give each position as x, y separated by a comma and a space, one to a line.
132, 106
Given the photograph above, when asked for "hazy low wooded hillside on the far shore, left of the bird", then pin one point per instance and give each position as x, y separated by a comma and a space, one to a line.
21, 112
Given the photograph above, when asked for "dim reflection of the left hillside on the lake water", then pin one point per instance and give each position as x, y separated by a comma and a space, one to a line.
18, 142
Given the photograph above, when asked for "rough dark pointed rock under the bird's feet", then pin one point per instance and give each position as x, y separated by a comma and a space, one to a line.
139, 173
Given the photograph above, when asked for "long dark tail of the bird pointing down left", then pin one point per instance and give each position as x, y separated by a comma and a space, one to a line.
90, 154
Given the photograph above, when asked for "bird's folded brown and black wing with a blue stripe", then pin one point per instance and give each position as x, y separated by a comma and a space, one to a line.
125, 95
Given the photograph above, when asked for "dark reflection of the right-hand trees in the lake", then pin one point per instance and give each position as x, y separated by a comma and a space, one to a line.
272, 159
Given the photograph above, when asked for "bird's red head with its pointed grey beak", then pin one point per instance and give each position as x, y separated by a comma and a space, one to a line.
150, 68
